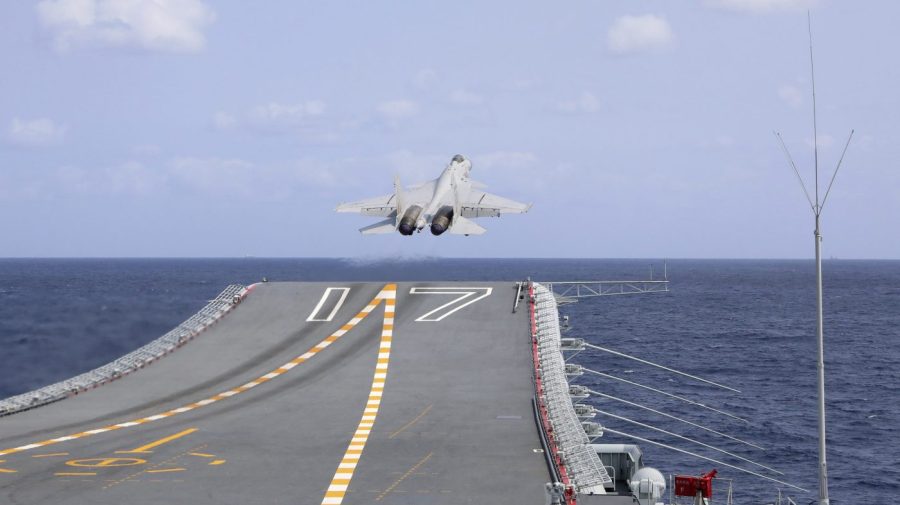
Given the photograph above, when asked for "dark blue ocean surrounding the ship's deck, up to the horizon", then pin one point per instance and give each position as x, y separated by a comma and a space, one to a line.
749, 324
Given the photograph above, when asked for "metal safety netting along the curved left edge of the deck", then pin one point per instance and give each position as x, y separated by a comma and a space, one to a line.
139, 358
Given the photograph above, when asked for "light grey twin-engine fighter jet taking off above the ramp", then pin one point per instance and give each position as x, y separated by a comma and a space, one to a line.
446, 203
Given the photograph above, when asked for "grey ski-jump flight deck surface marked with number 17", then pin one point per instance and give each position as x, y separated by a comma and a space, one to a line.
287, 400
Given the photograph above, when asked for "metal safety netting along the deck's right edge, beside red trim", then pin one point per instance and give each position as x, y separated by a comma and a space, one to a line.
582, 462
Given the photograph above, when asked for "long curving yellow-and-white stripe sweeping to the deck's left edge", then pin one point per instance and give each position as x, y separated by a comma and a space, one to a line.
225, 394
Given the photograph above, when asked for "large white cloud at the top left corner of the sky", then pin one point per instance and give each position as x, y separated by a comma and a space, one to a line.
159, 25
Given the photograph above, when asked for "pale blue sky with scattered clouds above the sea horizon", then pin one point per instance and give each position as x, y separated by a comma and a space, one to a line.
637, 129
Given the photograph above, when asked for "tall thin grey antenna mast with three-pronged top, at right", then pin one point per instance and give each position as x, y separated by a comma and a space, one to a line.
817, 207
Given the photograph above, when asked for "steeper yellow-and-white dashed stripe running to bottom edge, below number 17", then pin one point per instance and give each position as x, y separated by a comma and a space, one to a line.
344, 473
